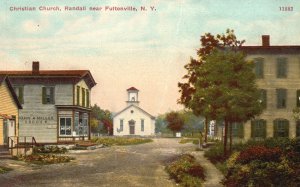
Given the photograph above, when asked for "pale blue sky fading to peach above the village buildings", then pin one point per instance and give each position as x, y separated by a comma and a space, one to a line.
144, 49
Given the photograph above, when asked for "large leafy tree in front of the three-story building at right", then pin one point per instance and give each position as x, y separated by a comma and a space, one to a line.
220, 83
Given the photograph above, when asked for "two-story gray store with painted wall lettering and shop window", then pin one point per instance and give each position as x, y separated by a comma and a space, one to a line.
56, 103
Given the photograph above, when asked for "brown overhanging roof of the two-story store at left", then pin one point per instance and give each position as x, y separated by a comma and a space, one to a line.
52, 76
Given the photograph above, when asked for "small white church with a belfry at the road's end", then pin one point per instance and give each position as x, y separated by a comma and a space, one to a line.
133, 120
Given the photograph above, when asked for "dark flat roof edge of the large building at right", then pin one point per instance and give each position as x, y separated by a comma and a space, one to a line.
278, 49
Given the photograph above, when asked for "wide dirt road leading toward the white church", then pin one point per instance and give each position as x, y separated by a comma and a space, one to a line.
136, 165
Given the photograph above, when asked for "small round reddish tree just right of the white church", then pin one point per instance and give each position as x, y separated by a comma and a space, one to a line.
175, 121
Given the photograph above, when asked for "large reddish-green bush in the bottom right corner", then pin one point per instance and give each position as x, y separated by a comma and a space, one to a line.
261, 166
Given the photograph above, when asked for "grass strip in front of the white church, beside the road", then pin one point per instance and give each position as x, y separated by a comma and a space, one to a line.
120, 141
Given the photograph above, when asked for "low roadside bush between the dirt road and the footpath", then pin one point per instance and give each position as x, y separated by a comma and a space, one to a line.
185, 171
